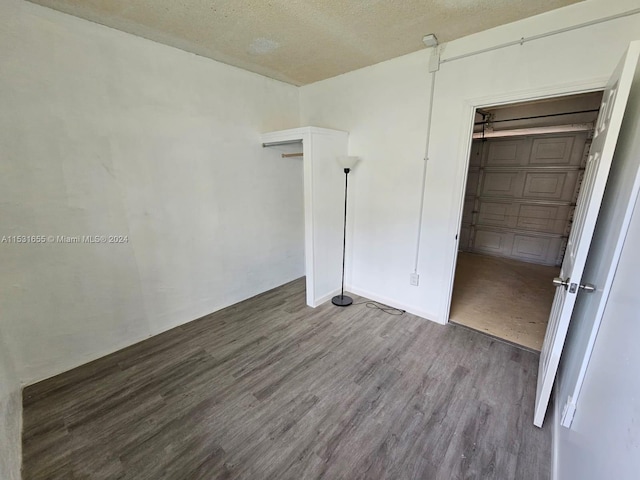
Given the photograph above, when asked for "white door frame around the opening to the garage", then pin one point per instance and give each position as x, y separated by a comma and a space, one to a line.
470, 107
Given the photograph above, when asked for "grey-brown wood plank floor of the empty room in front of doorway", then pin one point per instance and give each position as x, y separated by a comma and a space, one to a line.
272, 389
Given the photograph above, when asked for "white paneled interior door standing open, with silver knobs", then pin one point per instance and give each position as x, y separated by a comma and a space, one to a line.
605, 137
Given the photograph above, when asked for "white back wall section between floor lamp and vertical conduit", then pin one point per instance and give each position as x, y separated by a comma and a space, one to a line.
384, 109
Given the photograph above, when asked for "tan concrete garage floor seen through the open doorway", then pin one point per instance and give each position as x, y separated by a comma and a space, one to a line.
505, 298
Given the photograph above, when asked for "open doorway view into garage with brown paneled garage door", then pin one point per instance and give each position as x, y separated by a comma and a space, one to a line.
525, 170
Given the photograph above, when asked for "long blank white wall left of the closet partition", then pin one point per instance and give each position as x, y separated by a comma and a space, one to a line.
105, 133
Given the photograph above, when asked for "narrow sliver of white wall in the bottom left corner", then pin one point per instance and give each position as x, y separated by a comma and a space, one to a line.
10, 417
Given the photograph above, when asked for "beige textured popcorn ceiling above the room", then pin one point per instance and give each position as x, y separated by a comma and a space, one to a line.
301, 41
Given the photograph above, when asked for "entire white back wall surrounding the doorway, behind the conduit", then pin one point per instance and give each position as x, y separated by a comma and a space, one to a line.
384, 107
